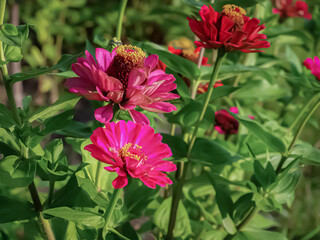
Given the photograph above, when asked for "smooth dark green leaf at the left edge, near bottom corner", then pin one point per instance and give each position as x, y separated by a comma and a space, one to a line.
15, 210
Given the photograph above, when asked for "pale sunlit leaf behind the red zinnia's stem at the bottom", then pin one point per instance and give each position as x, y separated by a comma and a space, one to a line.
161, 219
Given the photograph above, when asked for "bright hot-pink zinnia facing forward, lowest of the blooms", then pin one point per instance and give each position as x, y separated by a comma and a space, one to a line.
132, 149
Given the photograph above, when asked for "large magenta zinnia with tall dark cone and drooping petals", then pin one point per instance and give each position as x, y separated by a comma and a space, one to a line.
125, 77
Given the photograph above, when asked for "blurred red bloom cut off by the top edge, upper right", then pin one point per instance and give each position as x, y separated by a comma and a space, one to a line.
286, 8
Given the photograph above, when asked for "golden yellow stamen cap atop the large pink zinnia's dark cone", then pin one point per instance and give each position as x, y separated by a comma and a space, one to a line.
131, 54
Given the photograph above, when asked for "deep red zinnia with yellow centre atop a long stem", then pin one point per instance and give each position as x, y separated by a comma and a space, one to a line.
230, 30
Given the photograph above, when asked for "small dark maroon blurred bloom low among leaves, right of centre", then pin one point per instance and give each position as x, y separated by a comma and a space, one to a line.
225, 123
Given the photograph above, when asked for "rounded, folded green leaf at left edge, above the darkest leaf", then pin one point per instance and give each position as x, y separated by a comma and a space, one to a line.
16, 173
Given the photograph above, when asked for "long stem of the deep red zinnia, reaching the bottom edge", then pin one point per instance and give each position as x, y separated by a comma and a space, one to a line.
178, 190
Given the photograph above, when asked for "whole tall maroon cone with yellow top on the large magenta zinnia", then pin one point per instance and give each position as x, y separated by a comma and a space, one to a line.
128, 57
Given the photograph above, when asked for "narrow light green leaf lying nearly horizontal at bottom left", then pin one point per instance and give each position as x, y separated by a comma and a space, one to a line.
80, 217
